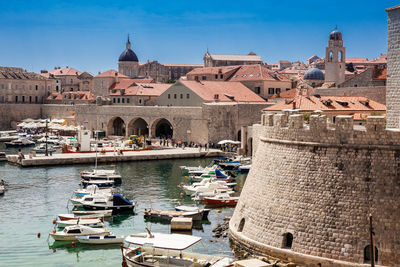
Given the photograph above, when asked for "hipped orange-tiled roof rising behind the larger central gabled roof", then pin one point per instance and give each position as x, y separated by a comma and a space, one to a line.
257, 73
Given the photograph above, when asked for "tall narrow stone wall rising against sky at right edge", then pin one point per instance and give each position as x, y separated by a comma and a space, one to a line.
393, 72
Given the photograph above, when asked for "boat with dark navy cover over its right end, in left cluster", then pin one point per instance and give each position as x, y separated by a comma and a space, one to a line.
117, 204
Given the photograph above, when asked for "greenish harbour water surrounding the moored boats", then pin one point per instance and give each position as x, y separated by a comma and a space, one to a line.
36, 195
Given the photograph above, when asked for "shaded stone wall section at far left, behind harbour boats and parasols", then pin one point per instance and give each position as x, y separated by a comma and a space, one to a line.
16, 112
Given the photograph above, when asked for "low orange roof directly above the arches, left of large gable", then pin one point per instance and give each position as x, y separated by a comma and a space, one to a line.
144, 89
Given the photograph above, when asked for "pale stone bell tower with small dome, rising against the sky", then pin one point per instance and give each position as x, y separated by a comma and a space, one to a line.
335, 55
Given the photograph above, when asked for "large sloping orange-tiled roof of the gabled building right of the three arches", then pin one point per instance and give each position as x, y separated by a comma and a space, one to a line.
226, 91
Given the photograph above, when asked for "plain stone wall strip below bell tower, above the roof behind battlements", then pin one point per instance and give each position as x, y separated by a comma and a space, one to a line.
375, 93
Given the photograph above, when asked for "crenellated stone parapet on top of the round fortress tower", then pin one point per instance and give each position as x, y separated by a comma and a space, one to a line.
287, 126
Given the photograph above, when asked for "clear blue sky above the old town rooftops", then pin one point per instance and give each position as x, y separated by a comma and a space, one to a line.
90, 35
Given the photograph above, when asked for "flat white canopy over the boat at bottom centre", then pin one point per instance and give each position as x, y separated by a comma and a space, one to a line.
164, 241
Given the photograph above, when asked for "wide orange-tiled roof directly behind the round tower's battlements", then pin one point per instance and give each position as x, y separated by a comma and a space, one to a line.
329, 103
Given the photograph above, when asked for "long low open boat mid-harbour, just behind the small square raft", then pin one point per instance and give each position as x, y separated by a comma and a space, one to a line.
167, 215
